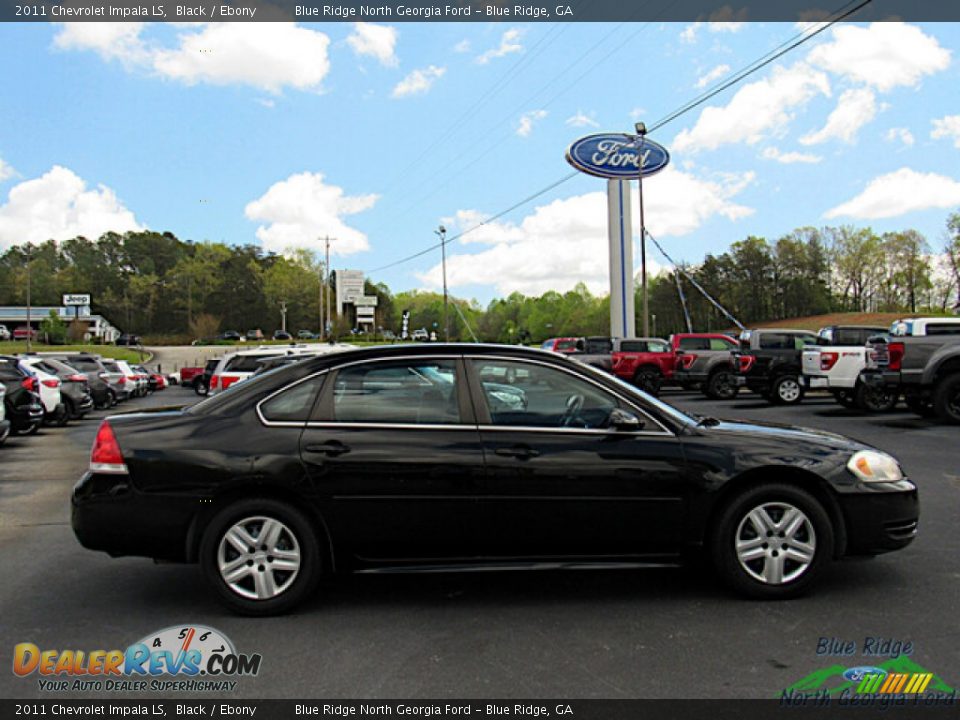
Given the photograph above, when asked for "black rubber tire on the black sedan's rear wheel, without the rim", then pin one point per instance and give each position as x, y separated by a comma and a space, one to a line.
304, 538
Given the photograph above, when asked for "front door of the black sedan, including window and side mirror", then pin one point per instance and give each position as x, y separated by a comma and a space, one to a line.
561, 483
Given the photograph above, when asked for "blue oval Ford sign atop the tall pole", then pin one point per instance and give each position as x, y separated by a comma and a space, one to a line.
617, 156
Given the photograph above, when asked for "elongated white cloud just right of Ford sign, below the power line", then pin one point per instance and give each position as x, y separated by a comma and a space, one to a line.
757, 110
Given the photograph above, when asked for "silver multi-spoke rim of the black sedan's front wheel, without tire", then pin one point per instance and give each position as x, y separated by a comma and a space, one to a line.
775, 543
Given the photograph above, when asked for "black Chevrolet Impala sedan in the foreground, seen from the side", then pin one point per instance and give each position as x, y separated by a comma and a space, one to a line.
408, 458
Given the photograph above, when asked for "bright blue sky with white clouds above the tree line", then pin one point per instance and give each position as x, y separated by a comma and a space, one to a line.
277, 134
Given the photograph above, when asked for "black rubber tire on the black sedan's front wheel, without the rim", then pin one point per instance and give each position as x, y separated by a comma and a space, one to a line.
733, 522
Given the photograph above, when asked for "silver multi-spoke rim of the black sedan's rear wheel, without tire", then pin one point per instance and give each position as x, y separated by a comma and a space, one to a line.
259, 558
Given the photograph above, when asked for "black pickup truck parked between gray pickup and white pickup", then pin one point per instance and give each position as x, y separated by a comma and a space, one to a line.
768, 362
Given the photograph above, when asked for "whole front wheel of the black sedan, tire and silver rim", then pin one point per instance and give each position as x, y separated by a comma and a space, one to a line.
771, 541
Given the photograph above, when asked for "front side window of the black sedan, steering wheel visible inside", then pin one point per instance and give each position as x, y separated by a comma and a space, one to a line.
526, 395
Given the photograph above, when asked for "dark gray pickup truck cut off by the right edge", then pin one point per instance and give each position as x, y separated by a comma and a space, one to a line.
926, 369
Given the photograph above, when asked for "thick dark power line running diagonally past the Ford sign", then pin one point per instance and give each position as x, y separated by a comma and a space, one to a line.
781, 50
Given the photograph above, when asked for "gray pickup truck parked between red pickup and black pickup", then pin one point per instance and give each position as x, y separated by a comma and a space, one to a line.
703, 361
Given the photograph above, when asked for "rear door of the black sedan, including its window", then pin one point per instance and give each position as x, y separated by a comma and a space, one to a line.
395, 454
